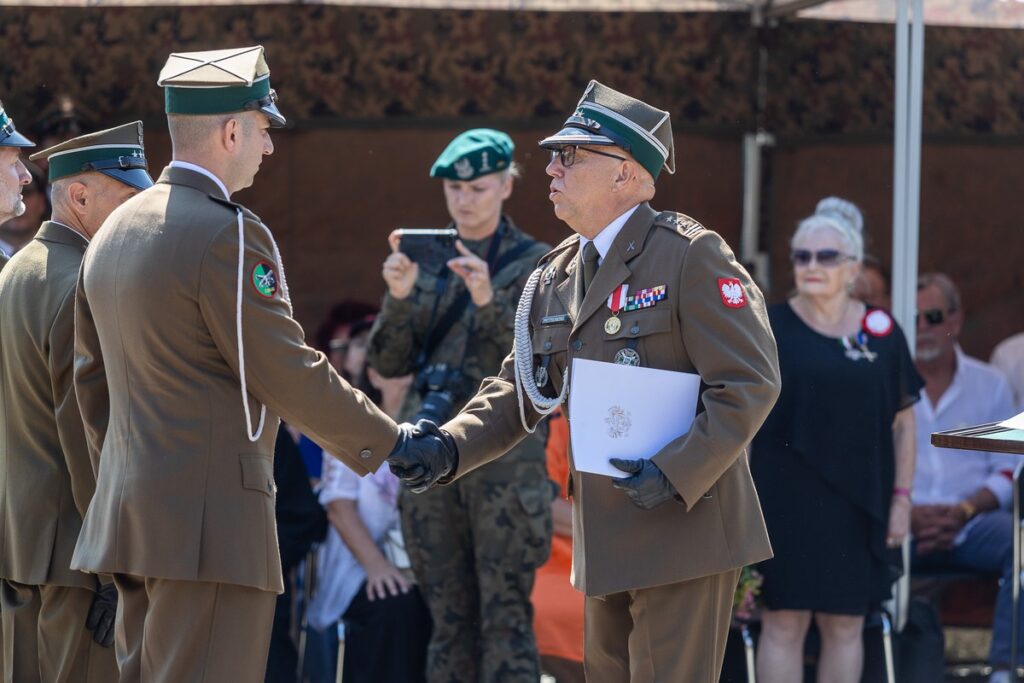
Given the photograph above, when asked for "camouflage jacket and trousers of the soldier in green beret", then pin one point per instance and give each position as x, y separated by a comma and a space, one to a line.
476, 545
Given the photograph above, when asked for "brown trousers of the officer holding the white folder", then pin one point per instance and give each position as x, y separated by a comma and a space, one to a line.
660, 635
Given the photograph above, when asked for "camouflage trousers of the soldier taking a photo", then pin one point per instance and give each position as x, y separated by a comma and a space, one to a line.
476, 546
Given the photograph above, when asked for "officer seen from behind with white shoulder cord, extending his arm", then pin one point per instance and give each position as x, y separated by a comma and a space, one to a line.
187, 353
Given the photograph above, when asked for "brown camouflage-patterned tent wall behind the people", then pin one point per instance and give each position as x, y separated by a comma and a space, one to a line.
375, 95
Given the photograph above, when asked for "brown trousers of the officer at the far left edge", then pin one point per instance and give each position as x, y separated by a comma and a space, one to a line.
46, 639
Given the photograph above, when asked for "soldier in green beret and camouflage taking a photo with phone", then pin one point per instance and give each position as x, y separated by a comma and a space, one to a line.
475, 546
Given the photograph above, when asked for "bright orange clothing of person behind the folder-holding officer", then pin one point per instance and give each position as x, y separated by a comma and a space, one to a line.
559, 607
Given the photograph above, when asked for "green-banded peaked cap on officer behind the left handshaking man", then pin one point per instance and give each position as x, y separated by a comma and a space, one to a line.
117, 153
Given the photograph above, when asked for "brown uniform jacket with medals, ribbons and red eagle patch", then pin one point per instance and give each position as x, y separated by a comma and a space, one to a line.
702, 326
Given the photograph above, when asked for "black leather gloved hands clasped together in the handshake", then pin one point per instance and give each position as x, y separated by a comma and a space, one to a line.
423, 455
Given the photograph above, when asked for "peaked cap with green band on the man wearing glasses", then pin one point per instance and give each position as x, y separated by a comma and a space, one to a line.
606, 117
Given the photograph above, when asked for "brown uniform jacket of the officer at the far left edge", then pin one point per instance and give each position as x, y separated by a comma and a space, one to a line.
46, 478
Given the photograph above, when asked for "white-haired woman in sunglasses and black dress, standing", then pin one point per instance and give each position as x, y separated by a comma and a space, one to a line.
834, 462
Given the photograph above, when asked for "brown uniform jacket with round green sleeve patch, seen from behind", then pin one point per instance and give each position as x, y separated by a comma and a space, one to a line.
182, 492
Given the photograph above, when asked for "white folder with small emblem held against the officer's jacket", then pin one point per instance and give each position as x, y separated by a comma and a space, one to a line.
626, 412
